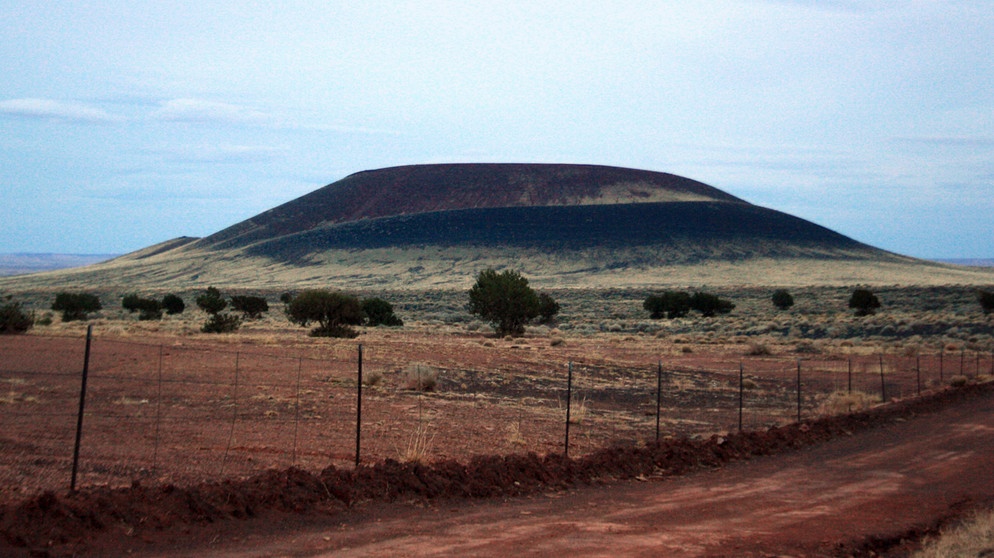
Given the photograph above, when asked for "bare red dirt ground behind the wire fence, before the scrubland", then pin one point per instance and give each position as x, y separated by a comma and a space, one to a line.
164, 410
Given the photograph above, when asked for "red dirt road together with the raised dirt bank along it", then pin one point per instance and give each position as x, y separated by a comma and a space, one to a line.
887, 475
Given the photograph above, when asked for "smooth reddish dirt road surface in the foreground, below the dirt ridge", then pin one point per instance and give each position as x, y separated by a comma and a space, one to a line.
819, 501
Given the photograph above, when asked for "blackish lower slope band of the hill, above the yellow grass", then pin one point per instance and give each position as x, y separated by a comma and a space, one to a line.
724, 228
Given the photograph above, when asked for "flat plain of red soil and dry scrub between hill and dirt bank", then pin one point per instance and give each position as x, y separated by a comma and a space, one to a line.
489, 395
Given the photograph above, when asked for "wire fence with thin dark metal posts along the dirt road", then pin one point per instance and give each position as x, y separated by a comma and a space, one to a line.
172, 413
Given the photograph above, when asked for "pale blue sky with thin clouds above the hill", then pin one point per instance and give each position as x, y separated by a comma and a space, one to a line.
126, 123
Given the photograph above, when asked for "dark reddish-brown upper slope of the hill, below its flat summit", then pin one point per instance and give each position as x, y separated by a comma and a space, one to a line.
412, 190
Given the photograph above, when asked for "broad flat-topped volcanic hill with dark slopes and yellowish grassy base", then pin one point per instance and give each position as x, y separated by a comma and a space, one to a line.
437, 226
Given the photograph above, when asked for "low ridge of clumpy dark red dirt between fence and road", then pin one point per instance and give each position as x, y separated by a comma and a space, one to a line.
50, 524
